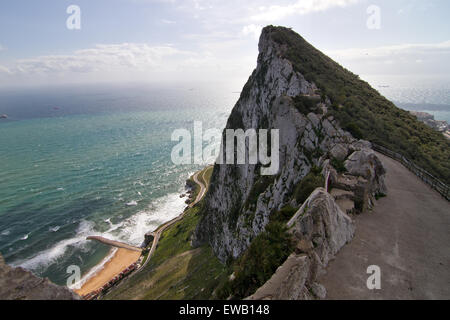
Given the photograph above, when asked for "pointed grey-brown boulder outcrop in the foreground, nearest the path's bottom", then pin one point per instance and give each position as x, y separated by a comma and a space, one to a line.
320, 229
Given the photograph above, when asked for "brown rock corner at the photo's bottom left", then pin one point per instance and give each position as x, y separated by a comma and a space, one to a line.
19, 284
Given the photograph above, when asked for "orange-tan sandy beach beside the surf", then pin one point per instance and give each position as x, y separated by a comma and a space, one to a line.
122, 259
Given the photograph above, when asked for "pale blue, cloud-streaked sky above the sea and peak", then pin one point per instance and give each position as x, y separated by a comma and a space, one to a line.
212, 40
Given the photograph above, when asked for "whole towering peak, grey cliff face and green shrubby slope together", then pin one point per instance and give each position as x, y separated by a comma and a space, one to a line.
309, 98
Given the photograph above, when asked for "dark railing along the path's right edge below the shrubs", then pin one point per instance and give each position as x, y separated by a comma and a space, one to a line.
426, 177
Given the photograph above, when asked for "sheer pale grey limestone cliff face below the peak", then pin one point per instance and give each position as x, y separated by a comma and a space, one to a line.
276, 96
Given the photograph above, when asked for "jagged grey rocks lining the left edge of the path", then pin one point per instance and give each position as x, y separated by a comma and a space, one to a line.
322, 225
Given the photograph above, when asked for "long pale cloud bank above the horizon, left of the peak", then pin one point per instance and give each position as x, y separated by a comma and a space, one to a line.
129, 62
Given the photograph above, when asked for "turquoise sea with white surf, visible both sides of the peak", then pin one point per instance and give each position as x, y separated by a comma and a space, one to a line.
85, 160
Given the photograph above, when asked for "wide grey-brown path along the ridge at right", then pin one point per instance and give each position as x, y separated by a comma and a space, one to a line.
407, 235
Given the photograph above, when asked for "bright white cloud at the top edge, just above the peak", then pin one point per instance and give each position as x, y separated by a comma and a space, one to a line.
300, 7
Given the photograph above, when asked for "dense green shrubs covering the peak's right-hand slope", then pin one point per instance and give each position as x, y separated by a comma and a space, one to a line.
362, 110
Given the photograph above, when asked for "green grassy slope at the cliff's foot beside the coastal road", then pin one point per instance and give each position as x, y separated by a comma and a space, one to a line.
176, 270
